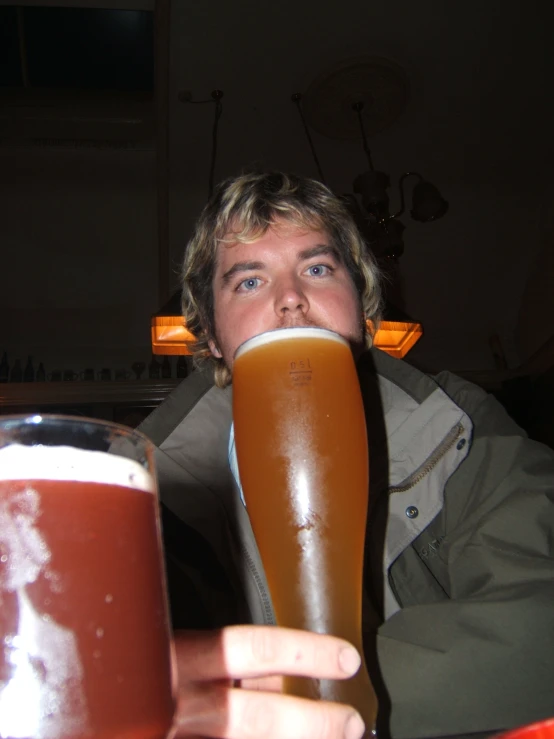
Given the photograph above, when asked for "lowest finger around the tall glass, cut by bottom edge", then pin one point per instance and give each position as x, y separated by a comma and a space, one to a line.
225, 713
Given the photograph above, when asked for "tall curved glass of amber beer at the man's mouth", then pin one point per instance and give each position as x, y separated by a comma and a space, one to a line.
302, 454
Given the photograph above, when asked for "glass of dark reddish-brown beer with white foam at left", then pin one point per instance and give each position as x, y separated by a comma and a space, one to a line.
83, 613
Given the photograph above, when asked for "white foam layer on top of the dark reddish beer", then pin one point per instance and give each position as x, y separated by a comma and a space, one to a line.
20, 462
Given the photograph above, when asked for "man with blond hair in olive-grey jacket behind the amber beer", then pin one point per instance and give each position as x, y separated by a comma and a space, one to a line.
460, 532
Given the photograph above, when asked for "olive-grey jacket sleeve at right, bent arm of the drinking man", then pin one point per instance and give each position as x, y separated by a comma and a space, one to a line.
482, 659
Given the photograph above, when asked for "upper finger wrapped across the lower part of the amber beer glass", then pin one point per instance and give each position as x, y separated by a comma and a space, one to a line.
255, 651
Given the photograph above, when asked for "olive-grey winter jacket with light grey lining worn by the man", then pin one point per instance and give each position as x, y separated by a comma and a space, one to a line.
459, 571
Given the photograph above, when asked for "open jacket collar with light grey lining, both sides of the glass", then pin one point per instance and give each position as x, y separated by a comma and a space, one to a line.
408, 415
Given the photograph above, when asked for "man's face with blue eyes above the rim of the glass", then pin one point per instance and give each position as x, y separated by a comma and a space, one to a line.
289, 277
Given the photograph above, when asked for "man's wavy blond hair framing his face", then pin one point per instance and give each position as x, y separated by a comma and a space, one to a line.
242, 209
